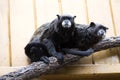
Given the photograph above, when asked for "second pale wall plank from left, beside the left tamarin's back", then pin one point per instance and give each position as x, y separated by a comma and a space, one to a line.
22, 27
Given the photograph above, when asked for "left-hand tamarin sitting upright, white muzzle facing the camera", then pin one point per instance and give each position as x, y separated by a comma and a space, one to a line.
48, 39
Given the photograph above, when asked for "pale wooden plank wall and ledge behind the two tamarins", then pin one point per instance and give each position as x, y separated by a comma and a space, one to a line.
20, 18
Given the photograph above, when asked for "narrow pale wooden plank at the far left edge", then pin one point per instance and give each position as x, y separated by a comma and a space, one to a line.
4, 37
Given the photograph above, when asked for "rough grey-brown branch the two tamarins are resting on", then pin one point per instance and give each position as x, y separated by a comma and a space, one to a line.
39, 68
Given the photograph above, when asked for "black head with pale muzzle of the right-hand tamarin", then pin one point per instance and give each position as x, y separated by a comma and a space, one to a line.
97, 30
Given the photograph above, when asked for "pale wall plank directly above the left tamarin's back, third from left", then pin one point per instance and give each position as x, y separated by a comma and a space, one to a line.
46, 11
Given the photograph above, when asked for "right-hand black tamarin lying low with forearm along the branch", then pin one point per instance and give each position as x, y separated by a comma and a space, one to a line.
86, 36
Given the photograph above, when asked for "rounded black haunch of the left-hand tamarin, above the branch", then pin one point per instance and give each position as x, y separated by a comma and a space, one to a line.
36, 51
